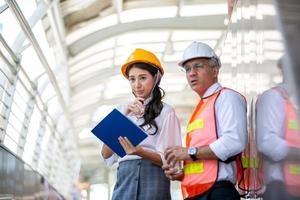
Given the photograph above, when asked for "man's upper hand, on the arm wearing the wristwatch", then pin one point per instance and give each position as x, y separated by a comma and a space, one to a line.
175, 154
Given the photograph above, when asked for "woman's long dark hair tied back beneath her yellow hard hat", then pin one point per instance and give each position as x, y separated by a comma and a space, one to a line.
154, 107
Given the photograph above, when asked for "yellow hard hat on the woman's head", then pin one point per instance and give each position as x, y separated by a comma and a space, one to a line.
144, 56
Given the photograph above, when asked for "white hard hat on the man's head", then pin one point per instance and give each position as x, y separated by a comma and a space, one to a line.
198, 50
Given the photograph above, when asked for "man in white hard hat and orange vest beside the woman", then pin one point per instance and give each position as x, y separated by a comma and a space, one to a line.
216, 132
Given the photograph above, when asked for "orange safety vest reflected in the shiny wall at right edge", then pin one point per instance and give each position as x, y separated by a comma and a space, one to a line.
291, 169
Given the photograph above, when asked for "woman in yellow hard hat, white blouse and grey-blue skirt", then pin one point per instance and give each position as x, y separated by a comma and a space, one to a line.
139, 175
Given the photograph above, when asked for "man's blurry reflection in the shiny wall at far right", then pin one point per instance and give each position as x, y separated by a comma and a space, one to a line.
277, 125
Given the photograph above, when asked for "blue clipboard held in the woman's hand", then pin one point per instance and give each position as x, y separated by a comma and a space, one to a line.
114, 125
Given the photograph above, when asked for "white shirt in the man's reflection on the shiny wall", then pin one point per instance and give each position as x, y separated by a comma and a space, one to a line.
270, 117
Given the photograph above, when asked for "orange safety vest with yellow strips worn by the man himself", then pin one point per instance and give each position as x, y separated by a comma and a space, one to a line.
200, 175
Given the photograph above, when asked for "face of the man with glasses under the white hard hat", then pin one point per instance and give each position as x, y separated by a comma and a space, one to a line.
200, 74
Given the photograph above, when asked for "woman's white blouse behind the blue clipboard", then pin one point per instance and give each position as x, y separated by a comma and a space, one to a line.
168, 134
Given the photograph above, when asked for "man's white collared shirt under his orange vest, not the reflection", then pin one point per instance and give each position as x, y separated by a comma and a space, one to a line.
231, 120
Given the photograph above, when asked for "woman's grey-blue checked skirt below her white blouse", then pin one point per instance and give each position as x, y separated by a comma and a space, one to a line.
141, 180
